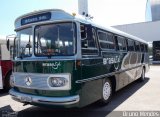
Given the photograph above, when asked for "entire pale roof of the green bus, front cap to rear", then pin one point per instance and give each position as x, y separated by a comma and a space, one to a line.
57, 14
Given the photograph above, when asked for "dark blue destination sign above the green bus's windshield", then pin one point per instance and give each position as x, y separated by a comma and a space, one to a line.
36, 18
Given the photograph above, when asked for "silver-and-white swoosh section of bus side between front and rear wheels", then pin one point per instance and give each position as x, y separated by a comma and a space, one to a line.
130, 63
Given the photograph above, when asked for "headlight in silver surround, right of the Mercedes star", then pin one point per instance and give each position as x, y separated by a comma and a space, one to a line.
59, 82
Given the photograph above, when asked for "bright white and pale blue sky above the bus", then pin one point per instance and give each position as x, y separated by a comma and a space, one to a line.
105, 12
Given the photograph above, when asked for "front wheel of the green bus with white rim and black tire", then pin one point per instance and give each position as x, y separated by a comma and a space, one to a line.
106, 92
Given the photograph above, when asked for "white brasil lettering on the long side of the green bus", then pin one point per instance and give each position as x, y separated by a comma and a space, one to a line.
111, 60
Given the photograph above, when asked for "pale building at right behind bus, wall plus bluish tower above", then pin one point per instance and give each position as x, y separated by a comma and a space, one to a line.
150, 30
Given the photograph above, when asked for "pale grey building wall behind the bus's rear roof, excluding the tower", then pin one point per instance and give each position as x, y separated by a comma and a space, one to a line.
149, 31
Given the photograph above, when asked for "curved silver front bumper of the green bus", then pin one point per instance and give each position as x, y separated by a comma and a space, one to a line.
27, 98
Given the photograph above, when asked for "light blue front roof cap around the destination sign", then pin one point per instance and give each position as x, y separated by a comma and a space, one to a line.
42, 15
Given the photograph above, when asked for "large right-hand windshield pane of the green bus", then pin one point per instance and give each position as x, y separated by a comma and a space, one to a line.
55, 39
